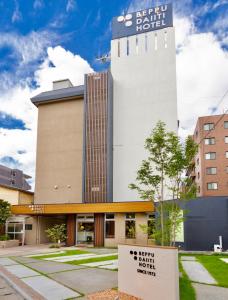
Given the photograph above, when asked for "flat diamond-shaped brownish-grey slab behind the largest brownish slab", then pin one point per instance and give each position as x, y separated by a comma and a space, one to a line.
48, 267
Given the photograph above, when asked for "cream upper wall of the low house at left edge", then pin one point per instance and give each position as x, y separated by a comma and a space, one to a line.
15, 197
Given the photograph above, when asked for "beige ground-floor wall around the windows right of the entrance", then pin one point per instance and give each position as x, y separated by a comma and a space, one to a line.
141, 238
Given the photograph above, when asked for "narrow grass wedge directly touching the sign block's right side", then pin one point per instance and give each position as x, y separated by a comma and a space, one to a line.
187, 291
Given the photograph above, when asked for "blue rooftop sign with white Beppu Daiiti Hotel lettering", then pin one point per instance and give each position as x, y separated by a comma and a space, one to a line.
142, 21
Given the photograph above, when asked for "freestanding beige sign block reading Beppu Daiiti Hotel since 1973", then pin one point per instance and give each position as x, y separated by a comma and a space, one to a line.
148, 272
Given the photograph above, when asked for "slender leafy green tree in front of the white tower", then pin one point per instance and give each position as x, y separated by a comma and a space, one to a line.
168, 160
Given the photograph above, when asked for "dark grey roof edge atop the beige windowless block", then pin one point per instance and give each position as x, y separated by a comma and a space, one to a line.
56, 95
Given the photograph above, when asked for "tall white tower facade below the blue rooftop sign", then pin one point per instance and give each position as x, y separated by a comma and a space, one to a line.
144, 91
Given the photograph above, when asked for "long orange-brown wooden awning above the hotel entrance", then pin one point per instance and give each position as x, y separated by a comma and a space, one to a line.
76, 208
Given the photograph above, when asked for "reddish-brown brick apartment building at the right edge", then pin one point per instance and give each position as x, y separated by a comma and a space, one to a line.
211, 162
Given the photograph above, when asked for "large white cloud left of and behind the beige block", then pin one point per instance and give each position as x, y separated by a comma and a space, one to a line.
16, 102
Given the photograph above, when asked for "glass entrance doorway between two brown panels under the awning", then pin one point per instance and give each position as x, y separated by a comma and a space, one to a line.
85, 229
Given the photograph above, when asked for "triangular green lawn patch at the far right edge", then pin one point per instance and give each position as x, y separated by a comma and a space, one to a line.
216, 267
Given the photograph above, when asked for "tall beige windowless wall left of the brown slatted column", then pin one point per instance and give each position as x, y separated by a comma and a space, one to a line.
59, 152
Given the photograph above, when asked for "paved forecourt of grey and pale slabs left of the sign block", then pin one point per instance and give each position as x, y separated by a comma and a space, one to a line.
57, 280
